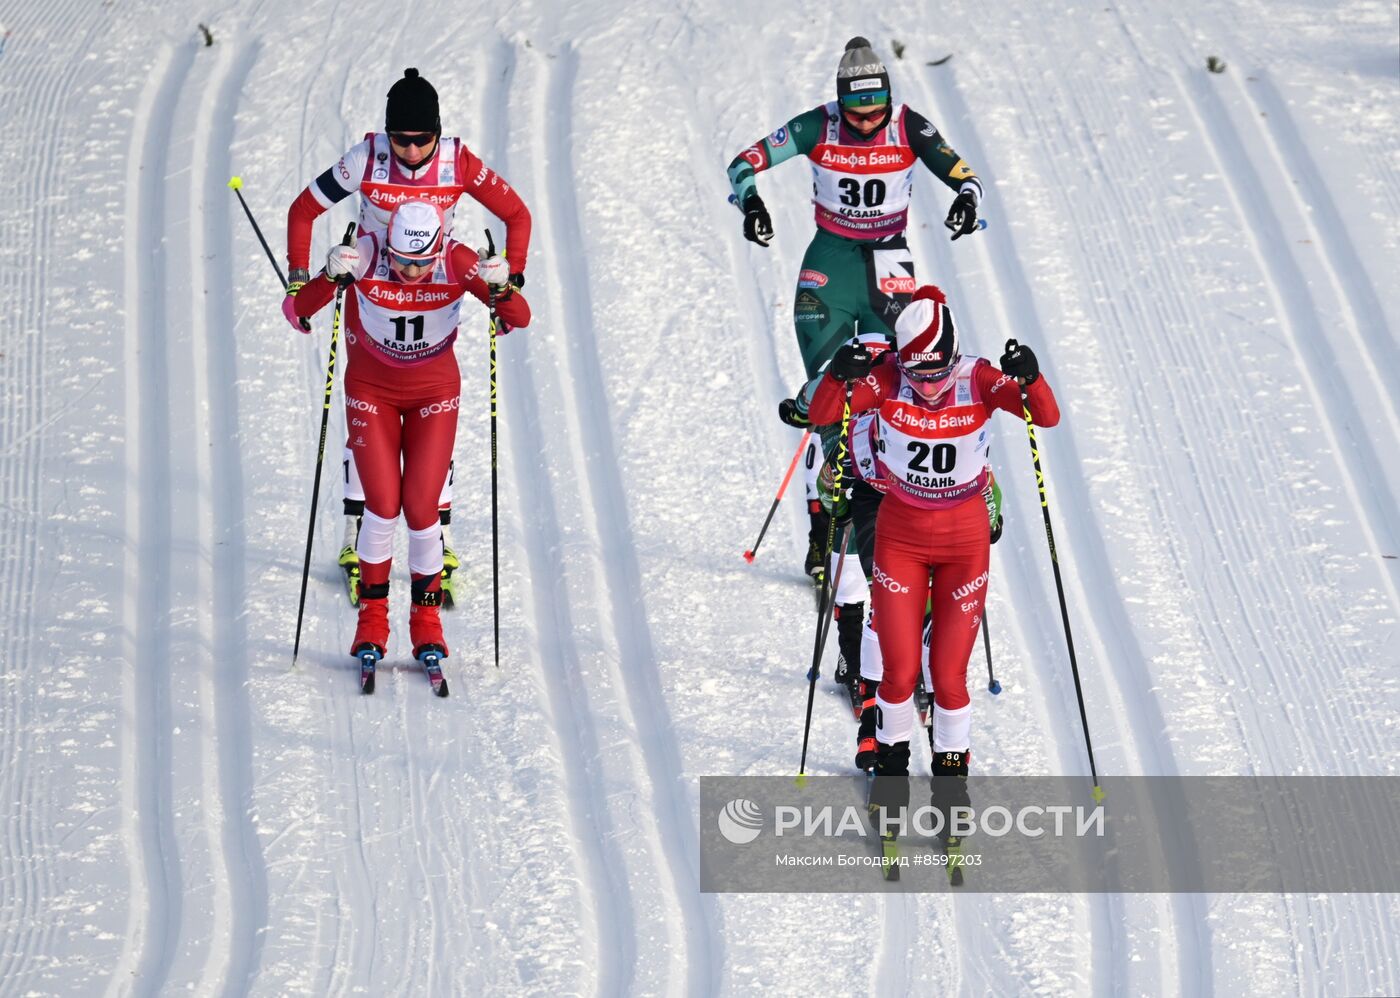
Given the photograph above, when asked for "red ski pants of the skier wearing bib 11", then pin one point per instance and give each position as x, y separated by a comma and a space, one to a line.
402, 442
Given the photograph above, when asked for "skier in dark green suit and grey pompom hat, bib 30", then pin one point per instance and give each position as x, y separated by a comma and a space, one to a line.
863, 149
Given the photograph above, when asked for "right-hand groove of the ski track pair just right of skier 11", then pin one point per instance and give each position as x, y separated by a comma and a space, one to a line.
668, 825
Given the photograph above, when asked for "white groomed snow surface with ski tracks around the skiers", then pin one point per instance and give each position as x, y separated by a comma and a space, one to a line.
1205, 262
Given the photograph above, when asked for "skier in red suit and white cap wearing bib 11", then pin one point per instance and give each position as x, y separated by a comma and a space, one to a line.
402, 388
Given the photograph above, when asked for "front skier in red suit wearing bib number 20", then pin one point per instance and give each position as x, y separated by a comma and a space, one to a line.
929, 443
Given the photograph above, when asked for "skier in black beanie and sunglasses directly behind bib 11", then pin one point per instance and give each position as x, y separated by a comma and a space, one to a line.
409, 160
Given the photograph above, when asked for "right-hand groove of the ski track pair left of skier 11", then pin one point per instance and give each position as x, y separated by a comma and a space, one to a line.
227, 737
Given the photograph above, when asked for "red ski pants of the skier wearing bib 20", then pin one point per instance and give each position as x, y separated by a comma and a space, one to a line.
939, 559
